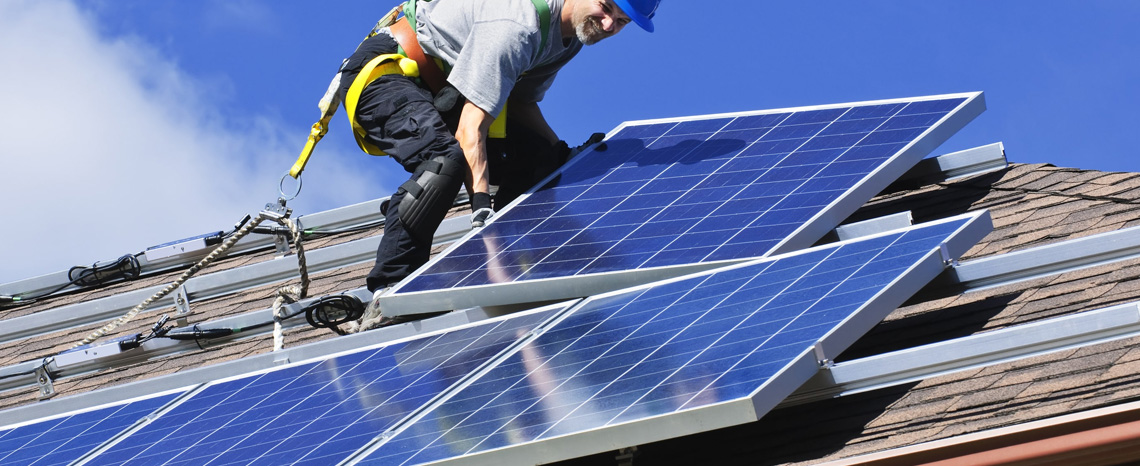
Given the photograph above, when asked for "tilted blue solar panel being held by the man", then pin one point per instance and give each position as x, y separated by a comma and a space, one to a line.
674, 197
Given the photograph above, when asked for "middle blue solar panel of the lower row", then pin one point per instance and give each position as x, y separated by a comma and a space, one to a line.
319, 413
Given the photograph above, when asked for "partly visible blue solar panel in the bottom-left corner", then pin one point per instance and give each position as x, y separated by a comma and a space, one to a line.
64, 440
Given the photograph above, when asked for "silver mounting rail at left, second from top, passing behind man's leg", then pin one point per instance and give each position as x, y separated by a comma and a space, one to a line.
211, 285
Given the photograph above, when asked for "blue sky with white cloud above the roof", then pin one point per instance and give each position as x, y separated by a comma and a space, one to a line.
136, 122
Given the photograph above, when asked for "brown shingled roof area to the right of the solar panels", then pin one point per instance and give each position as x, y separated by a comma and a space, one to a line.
1031, 206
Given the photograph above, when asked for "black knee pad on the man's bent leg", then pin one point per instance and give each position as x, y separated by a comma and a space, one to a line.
429, 195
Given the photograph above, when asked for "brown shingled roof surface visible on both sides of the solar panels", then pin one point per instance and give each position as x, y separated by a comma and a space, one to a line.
1031, 206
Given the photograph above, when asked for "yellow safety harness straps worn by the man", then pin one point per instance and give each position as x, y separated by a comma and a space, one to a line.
380, 67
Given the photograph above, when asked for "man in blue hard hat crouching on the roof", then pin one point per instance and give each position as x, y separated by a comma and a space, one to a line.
496, 52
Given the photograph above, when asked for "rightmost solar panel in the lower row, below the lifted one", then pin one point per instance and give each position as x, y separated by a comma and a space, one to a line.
682, 357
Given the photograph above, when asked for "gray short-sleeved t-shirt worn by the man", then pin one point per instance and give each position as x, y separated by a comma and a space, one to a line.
492, 46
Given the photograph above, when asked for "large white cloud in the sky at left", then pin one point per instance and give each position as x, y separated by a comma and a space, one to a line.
110, 148
